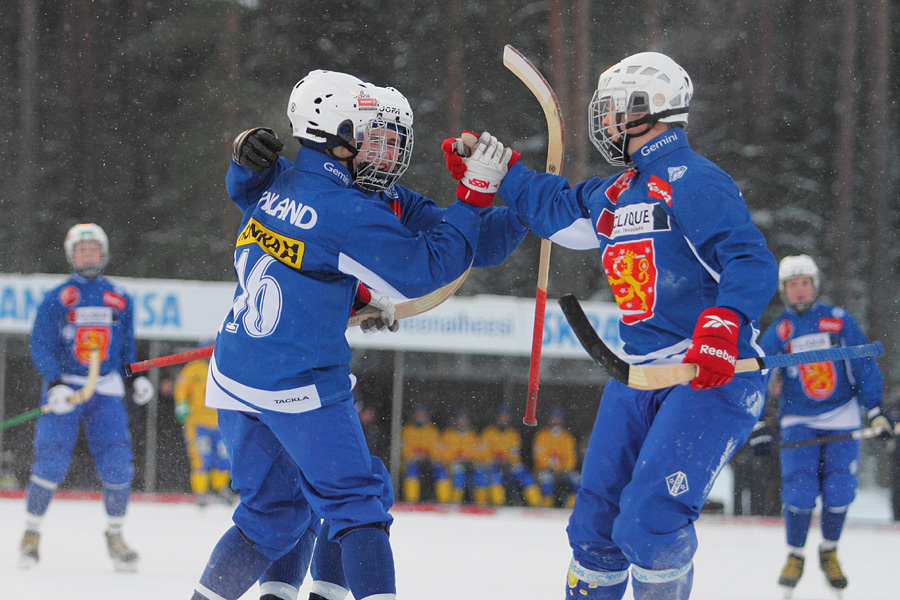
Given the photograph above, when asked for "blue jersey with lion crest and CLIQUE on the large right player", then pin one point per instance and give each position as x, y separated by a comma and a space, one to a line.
675, 238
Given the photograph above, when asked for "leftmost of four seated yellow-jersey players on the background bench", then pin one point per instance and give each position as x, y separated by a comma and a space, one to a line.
421, 458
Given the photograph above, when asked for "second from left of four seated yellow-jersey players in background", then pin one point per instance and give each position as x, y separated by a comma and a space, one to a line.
466, 457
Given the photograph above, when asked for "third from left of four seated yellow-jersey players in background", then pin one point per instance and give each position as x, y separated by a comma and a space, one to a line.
504, 445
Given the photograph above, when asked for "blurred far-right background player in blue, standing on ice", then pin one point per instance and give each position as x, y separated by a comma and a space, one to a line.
817, 400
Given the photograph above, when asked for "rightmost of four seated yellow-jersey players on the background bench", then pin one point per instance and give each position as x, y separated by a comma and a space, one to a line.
555, 459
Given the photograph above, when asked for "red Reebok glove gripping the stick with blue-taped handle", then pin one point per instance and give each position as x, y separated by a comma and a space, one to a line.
714, 347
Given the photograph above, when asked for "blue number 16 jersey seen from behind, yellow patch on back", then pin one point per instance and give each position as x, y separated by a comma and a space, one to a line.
307, 239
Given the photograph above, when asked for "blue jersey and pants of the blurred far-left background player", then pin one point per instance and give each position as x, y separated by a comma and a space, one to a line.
74, 317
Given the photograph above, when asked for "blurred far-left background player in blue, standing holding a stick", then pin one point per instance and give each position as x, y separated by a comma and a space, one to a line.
86, 310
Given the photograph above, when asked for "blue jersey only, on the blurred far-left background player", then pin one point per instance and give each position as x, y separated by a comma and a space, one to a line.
74, 317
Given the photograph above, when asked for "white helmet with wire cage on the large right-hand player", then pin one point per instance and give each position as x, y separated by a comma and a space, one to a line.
649, 86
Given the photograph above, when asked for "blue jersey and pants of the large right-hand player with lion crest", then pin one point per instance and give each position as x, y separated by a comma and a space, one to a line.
675, 238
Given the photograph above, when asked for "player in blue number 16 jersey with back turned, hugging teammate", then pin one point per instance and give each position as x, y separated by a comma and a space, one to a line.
280, 375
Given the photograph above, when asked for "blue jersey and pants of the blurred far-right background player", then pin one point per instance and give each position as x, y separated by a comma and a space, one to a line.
817, 400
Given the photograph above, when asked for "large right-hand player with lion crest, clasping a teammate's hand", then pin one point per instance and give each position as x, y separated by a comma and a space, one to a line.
691, 275
